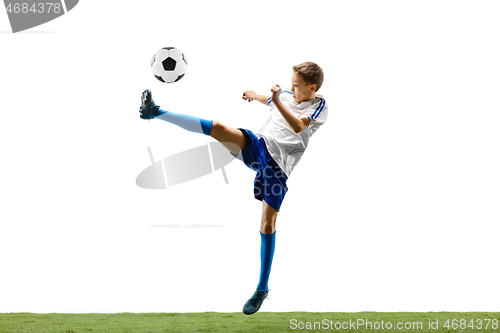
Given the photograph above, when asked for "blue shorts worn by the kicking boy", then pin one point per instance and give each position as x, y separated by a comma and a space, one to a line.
270, 181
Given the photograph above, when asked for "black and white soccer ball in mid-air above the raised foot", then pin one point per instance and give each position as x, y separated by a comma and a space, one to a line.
169, 65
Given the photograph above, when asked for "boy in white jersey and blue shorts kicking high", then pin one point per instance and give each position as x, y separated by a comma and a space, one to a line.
272, 153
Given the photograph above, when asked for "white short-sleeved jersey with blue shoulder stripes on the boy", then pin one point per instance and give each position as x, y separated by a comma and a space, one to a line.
285, 146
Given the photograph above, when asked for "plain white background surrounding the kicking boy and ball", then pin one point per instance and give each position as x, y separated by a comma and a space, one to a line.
394, 206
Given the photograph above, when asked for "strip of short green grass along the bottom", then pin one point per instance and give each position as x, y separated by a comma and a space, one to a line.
238, 322
